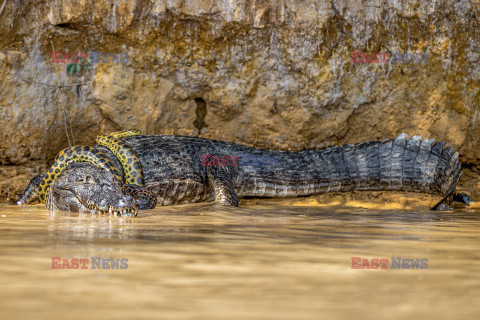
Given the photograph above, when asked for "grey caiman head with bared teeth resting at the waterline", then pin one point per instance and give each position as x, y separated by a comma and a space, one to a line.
84, 187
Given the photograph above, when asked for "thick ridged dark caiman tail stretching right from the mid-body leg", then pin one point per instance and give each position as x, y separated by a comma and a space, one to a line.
401, 164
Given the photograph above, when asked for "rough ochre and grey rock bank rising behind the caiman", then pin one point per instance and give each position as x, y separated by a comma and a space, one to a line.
265, 73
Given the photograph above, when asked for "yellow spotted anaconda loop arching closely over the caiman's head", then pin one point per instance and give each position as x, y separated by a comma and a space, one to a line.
77, 154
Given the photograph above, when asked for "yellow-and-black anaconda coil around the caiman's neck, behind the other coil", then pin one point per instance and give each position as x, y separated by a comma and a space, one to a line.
126, 155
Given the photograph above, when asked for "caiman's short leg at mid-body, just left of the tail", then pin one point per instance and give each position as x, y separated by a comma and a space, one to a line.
221, 179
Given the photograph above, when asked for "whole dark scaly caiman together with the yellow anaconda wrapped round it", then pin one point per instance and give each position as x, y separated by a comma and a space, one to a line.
127, 171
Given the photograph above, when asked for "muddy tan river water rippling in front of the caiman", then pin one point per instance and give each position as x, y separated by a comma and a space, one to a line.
203, 261
